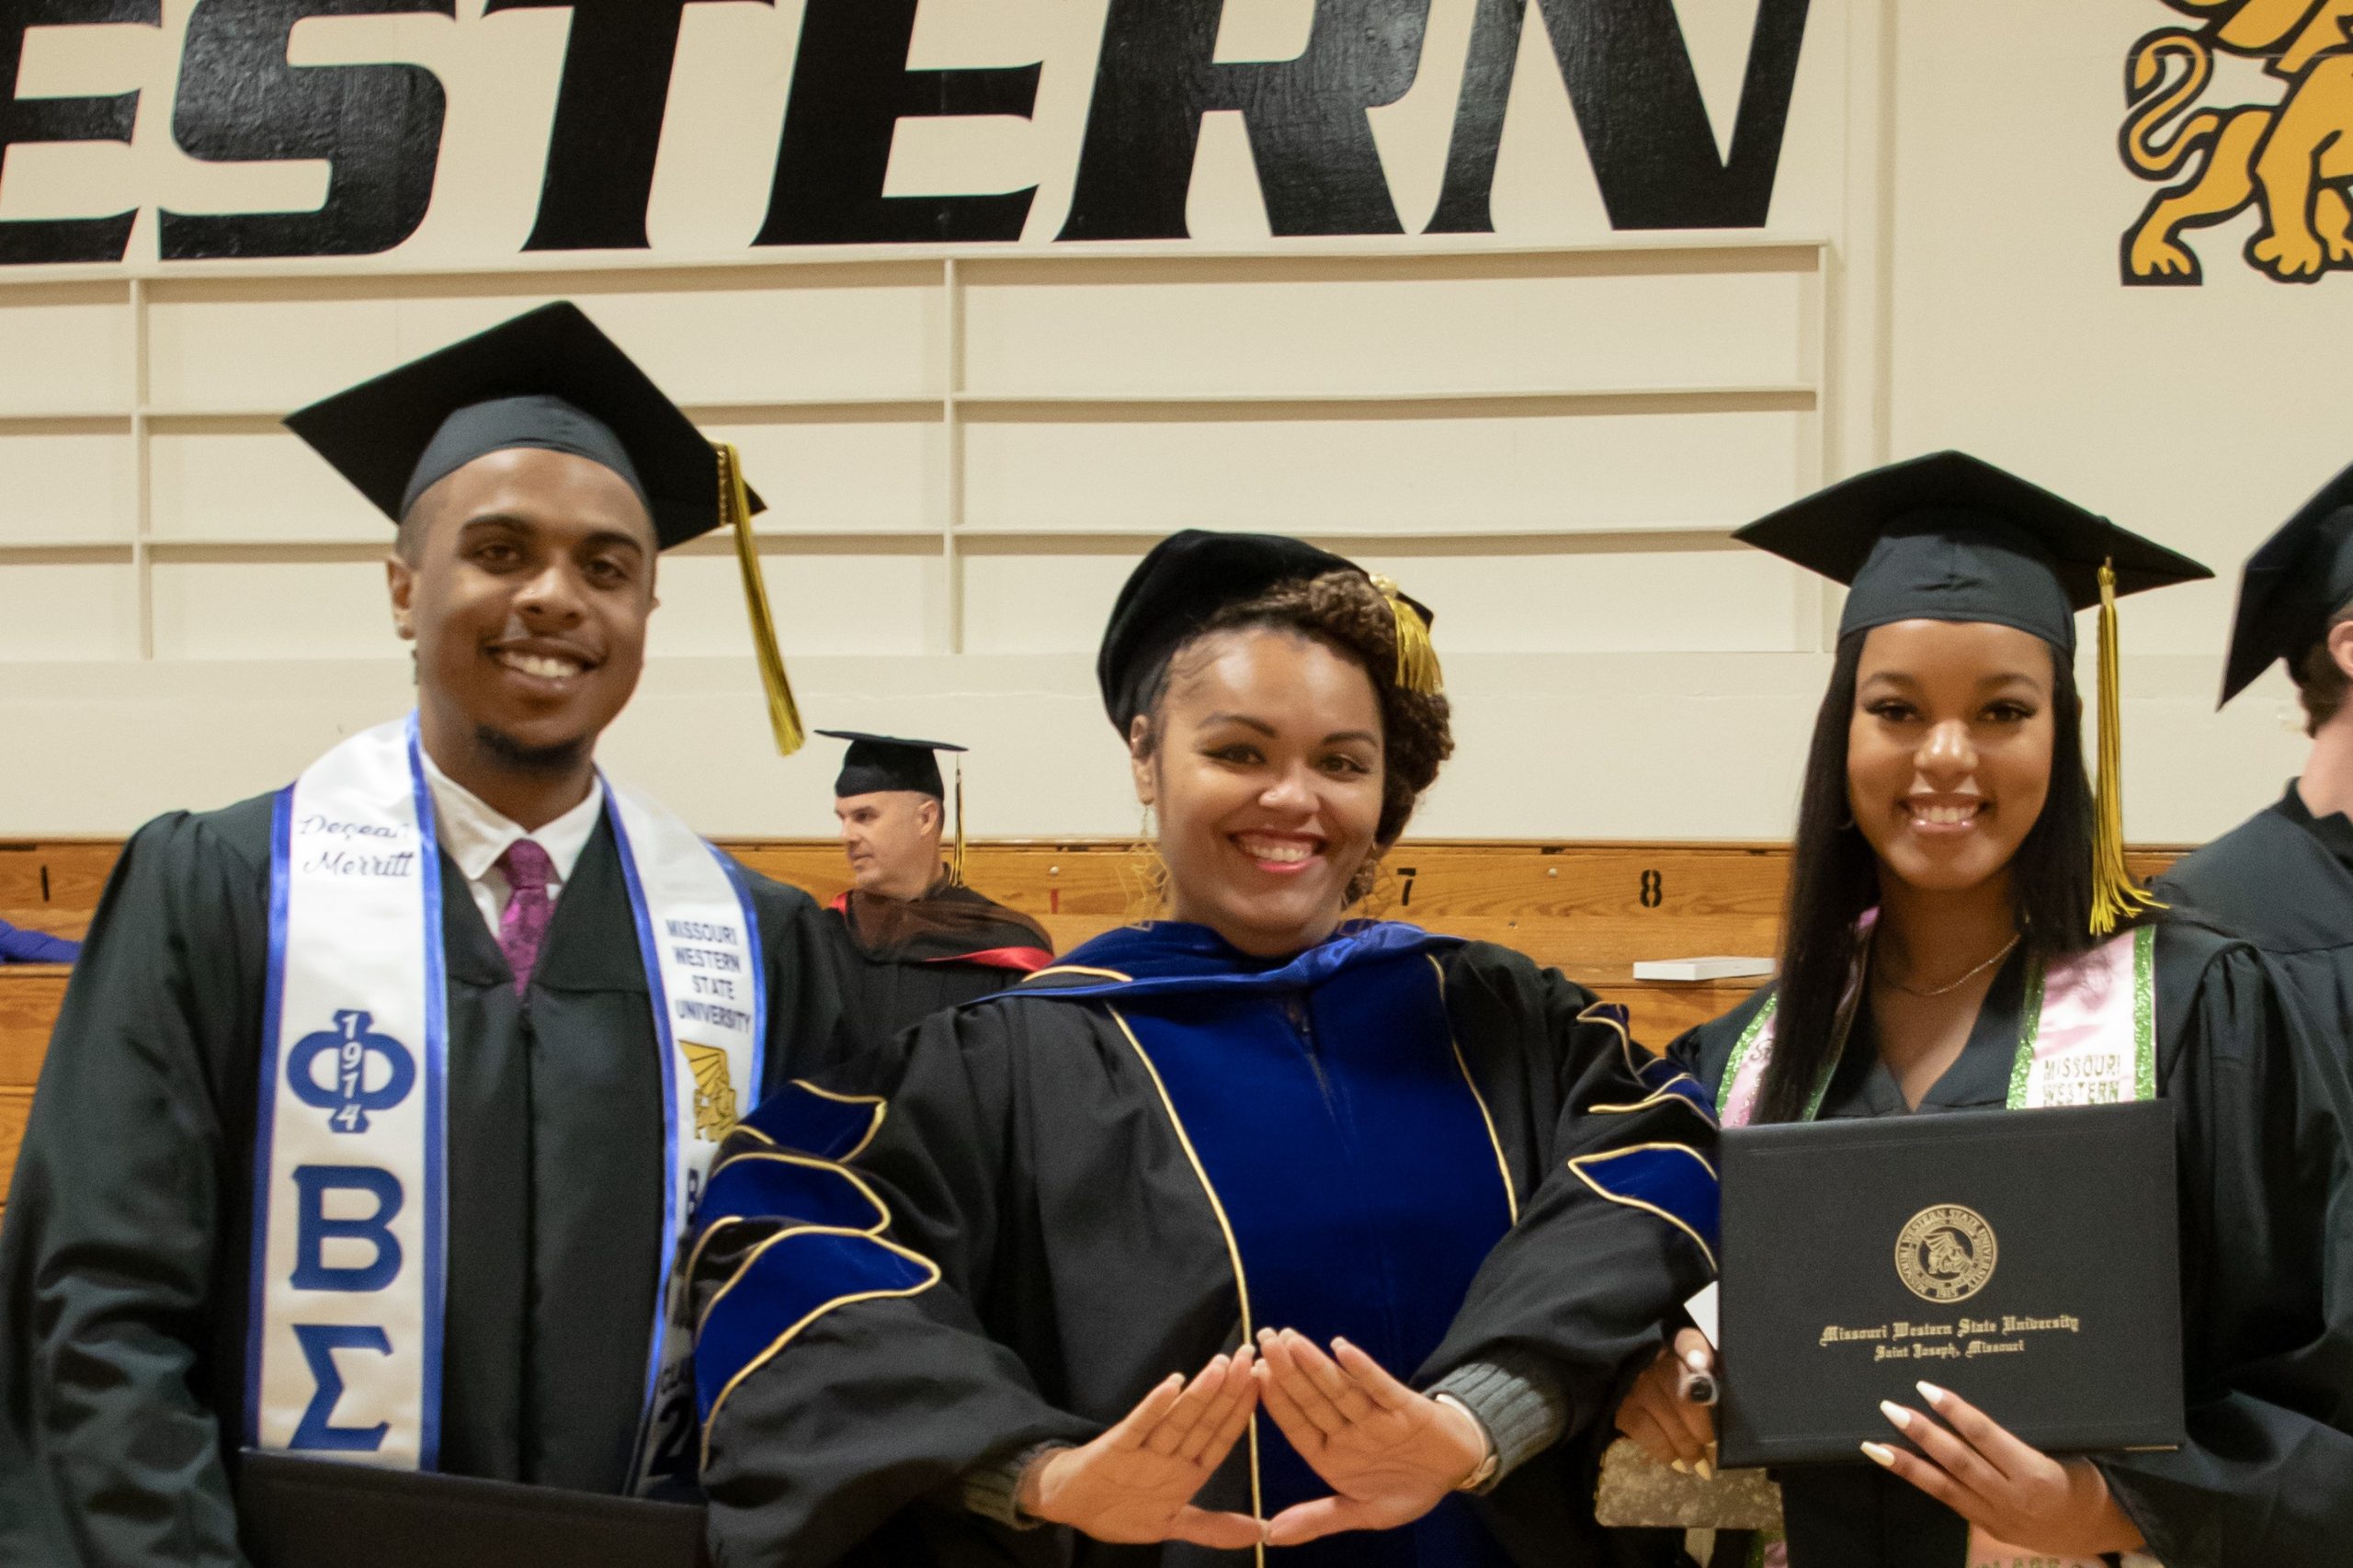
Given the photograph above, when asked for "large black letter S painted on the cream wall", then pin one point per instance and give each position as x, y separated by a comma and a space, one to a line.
241, 102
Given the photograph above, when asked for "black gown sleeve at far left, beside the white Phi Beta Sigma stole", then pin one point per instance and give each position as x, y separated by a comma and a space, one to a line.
109, 1270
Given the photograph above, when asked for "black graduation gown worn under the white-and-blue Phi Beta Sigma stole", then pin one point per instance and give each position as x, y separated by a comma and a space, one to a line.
124, 1265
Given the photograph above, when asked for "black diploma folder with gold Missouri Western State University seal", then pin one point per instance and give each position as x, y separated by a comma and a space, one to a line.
2025, 1261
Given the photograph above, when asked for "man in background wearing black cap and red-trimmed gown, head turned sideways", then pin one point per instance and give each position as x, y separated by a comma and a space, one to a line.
914, 936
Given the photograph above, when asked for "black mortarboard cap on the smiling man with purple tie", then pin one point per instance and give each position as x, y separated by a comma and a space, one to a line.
549, 380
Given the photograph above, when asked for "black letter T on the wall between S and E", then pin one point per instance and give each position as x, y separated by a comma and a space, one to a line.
608, 121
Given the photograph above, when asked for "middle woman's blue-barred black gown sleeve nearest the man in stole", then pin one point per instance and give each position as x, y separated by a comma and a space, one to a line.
876, 1390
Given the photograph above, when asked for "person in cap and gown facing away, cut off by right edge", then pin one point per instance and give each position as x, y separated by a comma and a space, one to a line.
2284, 879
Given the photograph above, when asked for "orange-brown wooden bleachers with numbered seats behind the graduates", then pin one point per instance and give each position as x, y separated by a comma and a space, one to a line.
1587, 908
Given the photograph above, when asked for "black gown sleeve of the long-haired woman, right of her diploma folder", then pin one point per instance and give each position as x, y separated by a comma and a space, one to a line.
2267, 1247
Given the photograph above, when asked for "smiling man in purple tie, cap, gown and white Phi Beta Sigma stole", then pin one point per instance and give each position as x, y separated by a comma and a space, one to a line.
380, 1103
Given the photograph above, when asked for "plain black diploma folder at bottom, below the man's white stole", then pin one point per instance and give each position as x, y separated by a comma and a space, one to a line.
328, 1515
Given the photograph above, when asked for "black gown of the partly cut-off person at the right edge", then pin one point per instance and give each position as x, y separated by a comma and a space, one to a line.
2284, 882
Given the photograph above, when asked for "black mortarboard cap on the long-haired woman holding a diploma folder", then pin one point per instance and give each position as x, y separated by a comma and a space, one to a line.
1952, 538
